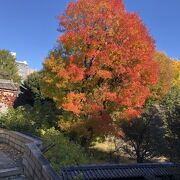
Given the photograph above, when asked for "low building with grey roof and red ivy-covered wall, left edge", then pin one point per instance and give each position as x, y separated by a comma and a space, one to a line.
8, 94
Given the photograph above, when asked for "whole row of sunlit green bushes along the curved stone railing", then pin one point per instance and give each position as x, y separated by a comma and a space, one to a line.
65, 152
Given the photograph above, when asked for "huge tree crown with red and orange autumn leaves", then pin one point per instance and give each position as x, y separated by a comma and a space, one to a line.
105, 66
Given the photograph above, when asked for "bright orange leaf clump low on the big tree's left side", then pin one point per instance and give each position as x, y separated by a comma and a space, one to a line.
74, 102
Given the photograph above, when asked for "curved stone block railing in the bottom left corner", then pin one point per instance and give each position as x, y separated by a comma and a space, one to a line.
35, 165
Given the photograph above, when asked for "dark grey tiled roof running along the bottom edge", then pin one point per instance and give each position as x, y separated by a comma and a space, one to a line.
128, 171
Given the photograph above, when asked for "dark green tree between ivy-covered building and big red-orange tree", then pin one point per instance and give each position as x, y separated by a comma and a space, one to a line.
42, 110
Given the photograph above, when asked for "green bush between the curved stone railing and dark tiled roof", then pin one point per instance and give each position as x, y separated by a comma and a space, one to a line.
64, 152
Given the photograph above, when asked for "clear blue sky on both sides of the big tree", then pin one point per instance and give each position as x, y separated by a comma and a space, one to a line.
29, 27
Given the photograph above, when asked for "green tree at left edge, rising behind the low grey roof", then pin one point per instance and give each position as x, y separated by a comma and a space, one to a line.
8, 68
